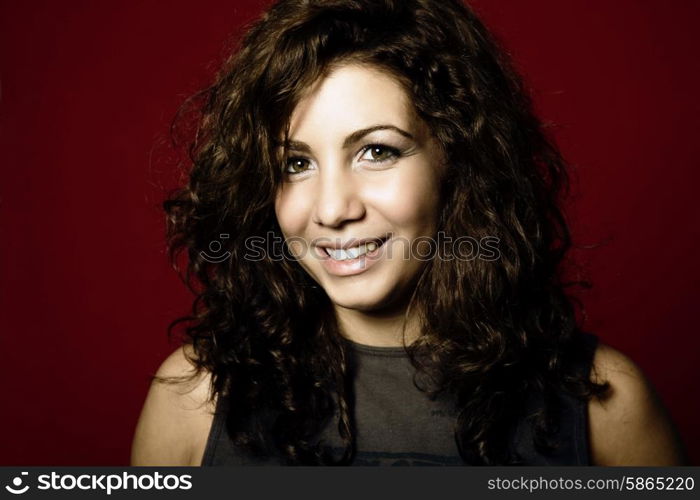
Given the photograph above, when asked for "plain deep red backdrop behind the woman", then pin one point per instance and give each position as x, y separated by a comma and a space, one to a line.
89, 89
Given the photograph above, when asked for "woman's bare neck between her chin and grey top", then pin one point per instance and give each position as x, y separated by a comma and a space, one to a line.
377, 328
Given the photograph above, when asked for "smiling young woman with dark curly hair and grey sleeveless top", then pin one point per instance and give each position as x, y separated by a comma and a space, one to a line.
415, 313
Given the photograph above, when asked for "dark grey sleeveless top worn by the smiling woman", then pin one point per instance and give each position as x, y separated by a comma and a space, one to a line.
397, 424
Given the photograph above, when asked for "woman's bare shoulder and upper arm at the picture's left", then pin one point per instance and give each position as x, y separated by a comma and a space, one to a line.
177, 414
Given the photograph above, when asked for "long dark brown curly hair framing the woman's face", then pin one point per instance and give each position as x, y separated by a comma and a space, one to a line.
492, 331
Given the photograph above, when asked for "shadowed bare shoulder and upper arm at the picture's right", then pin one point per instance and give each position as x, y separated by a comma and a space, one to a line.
629, 424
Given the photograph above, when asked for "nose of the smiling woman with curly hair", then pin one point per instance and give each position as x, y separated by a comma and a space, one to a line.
337, 197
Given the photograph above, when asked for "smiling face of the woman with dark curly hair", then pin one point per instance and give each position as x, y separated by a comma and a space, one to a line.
361, 166
